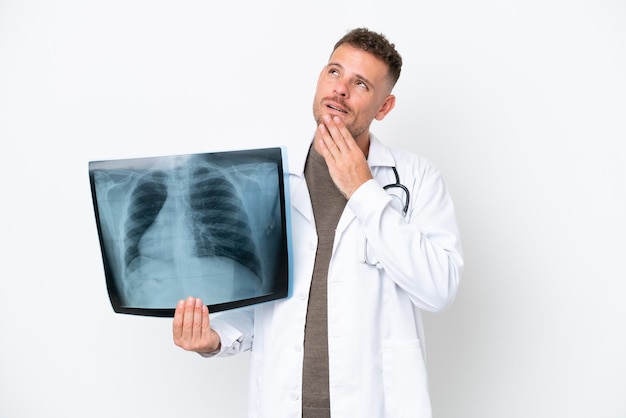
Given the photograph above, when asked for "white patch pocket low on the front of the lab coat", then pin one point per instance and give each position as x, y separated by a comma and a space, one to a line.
404, 380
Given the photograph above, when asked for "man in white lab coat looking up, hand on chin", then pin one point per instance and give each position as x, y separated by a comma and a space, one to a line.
375, 241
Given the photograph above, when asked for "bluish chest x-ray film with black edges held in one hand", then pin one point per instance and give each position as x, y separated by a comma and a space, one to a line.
214, 226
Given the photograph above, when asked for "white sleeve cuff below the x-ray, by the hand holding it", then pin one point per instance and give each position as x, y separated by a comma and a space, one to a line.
236, 331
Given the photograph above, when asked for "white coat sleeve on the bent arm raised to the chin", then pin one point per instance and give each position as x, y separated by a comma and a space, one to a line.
421, 253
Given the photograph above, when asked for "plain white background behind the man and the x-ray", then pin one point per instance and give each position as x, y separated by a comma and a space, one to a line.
521, 104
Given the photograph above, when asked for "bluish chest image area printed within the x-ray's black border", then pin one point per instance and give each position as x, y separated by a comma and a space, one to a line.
197, 216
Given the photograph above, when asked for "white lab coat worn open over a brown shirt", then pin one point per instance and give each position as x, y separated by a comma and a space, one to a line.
375, 334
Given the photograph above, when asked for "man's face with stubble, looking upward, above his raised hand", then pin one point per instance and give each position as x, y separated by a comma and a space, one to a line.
354, 86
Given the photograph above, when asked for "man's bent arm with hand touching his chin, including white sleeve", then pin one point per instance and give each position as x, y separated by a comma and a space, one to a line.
423, 256
